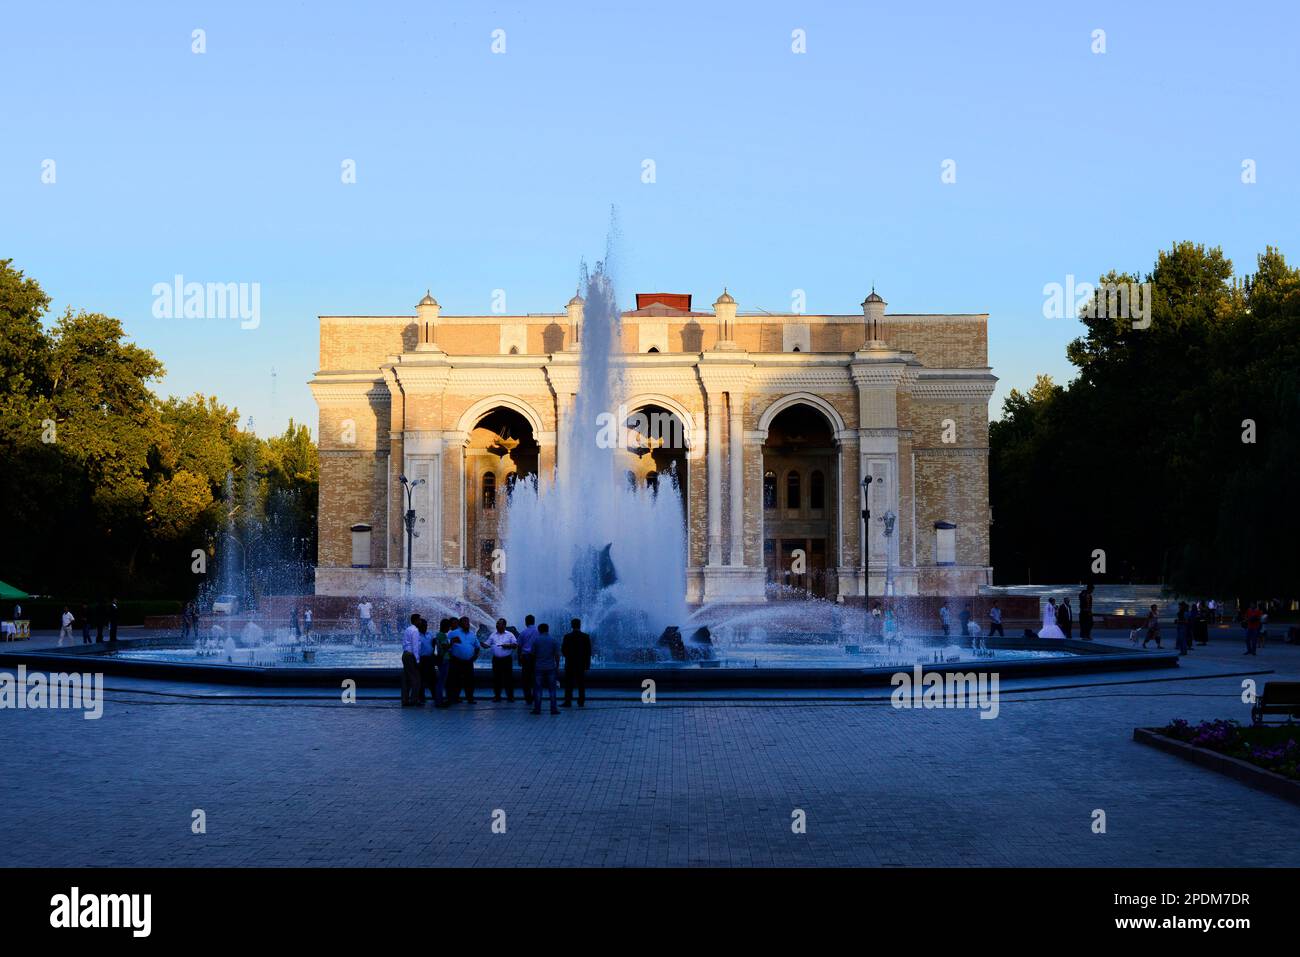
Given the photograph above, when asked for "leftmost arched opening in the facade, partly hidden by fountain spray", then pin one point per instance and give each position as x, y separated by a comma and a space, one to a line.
502, 449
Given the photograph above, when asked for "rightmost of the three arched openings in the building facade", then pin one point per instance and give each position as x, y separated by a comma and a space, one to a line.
800, 522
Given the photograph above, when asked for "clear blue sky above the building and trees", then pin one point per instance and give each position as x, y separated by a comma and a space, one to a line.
774, 171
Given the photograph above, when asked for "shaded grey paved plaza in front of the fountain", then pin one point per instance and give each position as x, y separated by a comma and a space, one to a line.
687, 781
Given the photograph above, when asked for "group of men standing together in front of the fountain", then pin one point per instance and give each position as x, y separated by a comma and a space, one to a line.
443, 662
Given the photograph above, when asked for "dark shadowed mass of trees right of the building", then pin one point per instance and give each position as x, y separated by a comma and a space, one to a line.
1175, 448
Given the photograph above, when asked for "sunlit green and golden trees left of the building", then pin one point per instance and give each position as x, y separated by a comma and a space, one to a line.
109, 488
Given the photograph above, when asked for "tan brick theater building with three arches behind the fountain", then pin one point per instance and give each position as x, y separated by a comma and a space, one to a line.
782, 418
